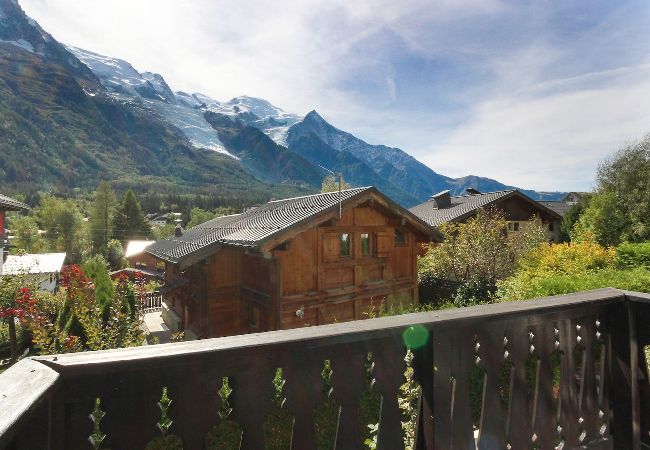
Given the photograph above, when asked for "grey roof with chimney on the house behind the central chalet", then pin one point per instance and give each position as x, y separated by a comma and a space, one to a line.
464, 206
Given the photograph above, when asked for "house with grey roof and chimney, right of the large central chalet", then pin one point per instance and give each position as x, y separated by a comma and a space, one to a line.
516, 206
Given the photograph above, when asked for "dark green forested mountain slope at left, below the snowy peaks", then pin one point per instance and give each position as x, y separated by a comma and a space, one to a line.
60, 130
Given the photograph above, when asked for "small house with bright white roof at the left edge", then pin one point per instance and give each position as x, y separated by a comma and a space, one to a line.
44, 268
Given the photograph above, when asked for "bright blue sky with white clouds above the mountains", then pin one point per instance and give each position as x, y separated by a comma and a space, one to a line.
532, 93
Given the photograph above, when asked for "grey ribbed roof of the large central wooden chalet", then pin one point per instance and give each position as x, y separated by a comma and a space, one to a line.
259, 225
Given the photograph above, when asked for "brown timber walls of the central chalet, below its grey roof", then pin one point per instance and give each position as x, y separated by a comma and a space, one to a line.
328, 270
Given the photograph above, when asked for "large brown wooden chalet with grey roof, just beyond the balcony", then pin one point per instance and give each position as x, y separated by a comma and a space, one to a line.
291, 263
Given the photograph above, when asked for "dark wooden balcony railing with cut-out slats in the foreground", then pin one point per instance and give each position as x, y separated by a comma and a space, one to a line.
564, 372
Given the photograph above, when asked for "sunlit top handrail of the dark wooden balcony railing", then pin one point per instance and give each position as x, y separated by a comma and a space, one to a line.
24, 386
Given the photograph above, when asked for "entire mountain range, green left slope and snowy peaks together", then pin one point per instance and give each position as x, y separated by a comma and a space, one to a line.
94, 117
